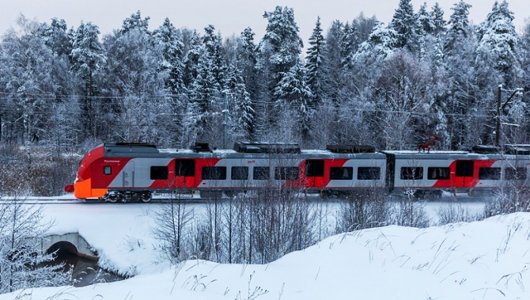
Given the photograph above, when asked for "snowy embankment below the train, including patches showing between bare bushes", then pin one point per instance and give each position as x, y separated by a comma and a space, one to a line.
123, 235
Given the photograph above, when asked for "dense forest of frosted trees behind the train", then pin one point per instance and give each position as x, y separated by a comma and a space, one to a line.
360, 82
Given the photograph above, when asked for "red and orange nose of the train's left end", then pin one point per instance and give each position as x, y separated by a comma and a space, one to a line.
82, 186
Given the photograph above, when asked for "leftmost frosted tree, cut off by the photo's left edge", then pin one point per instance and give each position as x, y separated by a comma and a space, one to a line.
29, 88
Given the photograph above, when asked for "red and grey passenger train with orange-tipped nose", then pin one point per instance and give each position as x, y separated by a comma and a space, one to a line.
126, 172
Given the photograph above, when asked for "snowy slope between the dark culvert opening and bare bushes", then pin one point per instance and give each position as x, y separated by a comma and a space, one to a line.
121, 234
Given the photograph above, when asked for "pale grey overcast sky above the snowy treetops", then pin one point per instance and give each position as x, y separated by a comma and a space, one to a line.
228, 16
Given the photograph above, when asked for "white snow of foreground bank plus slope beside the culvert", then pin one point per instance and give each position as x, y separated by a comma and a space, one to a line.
480, 260
